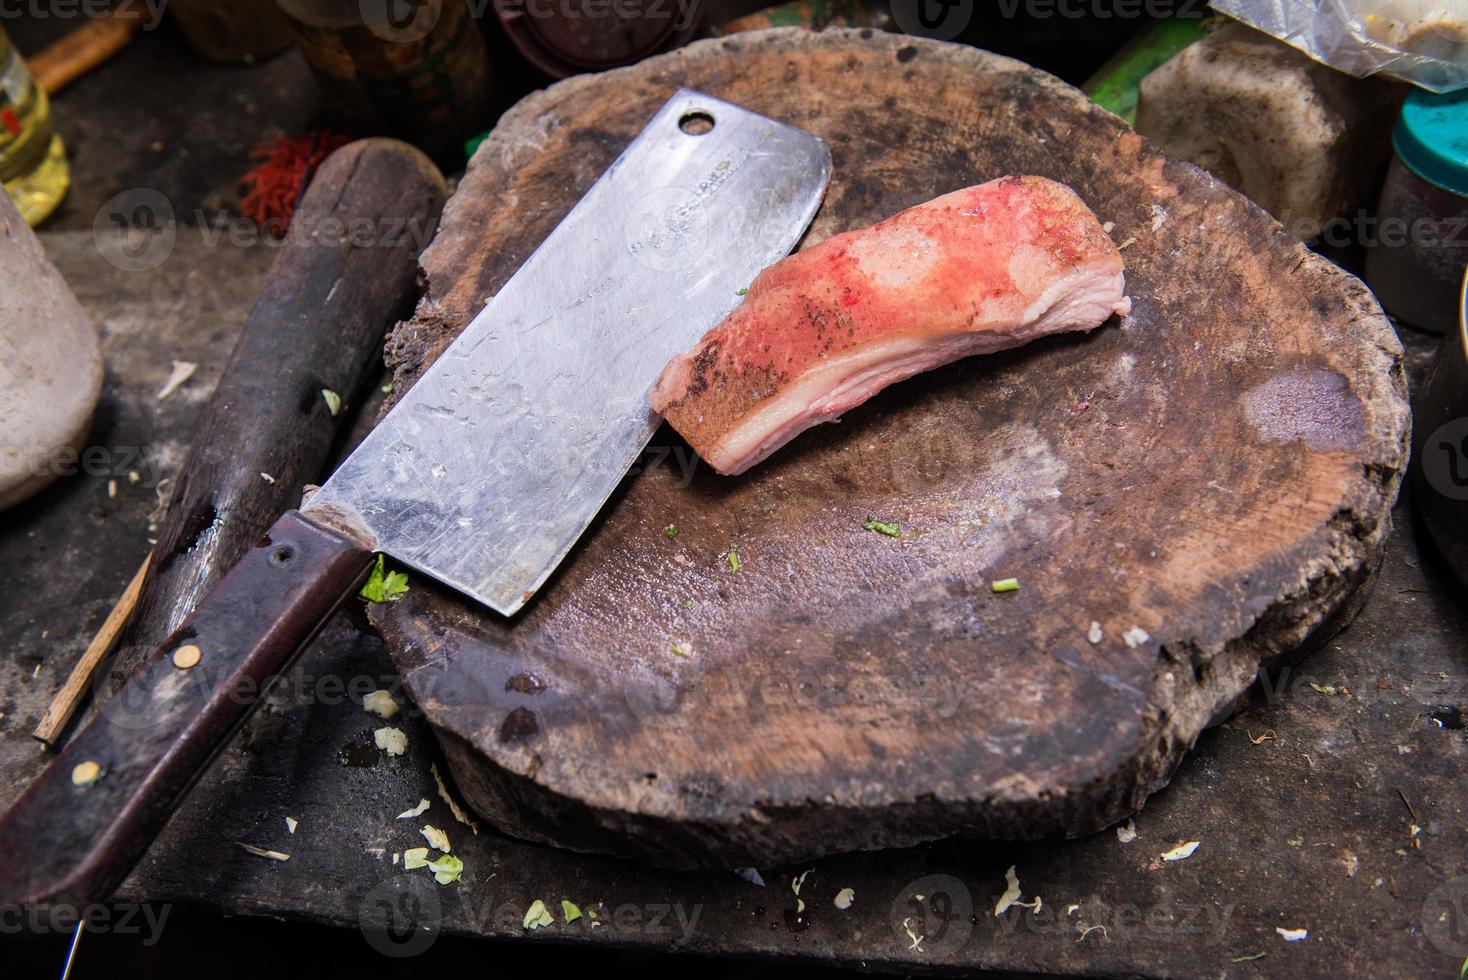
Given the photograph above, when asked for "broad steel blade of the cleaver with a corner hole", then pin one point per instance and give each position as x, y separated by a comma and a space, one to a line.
500, 457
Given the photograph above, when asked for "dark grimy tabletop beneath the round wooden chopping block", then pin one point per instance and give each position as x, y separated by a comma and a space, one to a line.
1335, 803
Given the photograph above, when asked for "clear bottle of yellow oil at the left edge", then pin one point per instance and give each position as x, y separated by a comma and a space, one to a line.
33, 161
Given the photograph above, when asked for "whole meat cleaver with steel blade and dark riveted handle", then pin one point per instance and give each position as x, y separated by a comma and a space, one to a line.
482, 478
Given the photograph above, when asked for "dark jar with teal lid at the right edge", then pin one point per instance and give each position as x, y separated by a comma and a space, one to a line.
1420, 250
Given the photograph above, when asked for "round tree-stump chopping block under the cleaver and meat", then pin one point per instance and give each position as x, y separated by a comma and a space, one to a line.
1207, 479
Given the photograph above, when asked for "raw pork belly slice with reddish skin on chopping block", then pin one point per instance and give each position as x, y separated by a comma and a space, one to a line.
984, 269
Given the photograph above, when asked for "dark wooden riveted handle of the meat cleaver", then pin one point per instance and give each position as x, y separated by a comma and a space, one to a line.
73, 838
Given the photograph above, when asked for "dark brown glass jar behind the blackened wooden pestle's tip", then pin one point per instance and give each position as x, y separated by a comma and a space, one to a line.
413, 70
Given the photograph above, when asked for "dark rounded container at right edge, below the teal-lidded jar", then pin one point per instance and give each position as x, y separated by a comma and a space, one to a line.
1441, 447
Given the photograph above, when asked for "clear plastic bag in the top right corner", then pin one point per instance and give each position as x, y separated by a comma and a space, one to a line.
1420, 42
